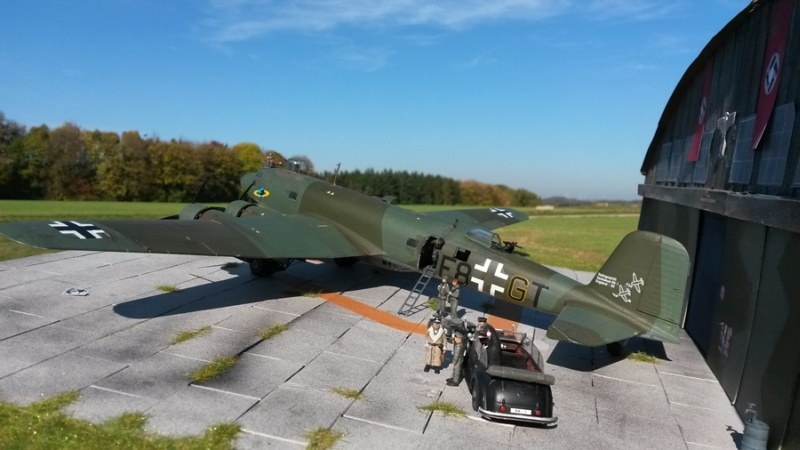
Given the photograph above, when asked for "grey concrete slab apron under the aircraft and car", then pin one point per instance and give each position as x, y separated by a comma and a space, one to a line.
114, 347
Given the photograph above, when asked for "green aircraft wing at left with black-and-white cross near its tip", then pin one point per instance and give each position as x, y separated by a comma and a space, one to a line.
274, 236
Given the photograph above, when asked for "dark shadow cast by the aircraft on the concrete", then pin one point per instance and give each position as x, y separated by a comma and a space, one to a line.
302, 277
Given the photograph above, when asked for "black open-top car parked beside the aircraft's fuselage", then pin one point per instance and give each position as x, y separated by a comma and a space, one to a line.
504, 373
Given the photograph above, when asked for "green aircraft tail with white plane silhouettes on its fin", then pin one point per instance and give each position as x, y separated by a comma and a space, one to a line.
639, 290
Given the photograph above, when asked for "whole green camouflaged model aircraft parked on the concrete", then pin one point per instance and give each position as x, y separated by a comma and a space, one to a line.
285, 215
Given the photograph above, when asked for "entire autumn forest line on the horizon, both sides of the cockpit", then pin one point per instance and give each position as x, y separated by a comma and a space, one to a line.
69, 163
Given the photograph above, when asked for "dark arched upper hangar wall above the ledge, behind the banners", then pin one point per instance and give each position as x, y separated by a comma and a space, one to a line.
735, 59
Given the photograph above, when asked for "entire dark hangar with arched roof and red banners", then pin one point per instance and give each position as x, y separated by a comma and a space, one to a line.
722, 175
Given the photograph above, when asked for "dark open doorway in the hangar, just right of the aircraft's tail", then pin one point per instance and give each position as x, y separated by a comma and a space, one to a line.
707, 280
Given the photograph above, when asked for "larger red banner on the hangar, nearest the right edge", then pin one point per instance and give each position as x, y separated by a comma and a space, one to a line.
773, 63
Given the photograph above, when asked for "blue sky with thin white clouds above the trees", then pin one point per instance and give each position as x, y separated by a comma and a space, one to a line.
558, 97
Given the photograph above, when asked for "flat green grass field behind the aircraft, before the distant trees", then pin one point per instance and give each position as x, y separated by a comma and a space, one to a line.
579, 238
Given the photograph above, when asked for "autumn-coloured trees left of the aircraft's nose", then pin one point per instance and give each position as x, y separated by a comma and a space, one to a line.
68, 163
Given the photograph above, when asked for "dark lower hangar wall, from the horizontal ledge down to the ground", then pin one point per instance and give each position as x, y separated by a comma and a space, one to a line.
743, 308
